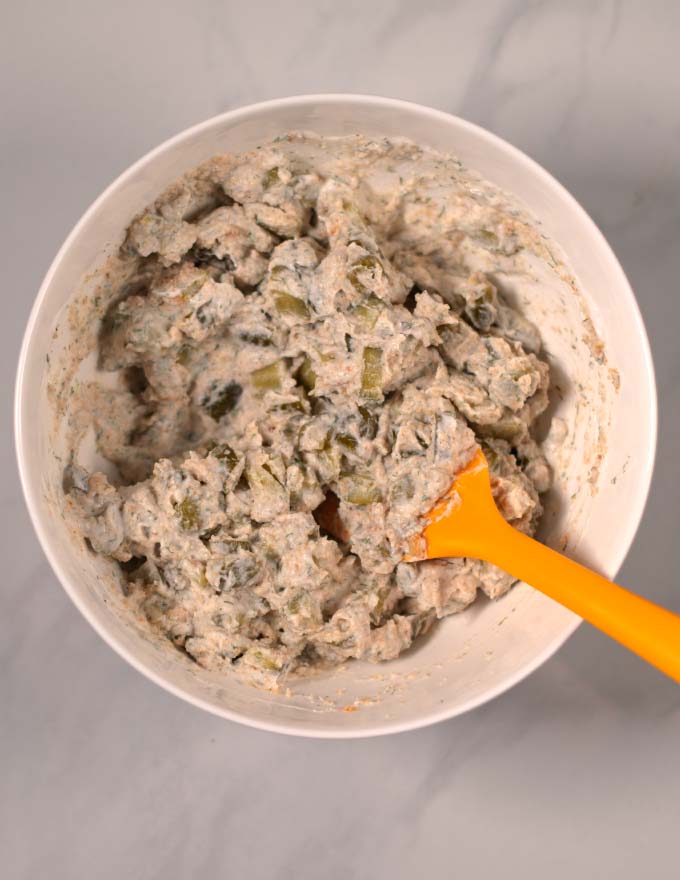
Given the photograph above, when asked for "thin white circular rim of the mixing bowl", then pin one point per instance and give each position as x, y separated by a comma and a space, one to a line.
30, 484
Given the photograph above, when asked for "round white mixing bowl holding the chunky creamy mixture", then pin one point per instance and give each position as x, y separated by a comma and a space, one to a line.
603, 464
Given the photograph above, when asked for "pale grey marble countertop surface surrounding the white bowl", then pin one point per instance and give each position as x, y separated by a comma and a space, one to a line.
573, 773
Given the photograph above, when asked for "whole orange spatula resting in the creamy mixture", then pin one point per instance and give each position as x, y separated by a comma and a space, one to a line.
466, 522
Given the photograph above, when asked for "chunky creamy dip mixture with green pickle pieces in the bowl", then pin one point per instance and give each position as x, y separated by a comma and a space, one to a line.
317, 318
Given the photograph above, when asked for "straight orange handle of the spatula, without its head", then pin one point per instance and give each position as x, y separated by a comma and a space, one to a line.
647, 629
